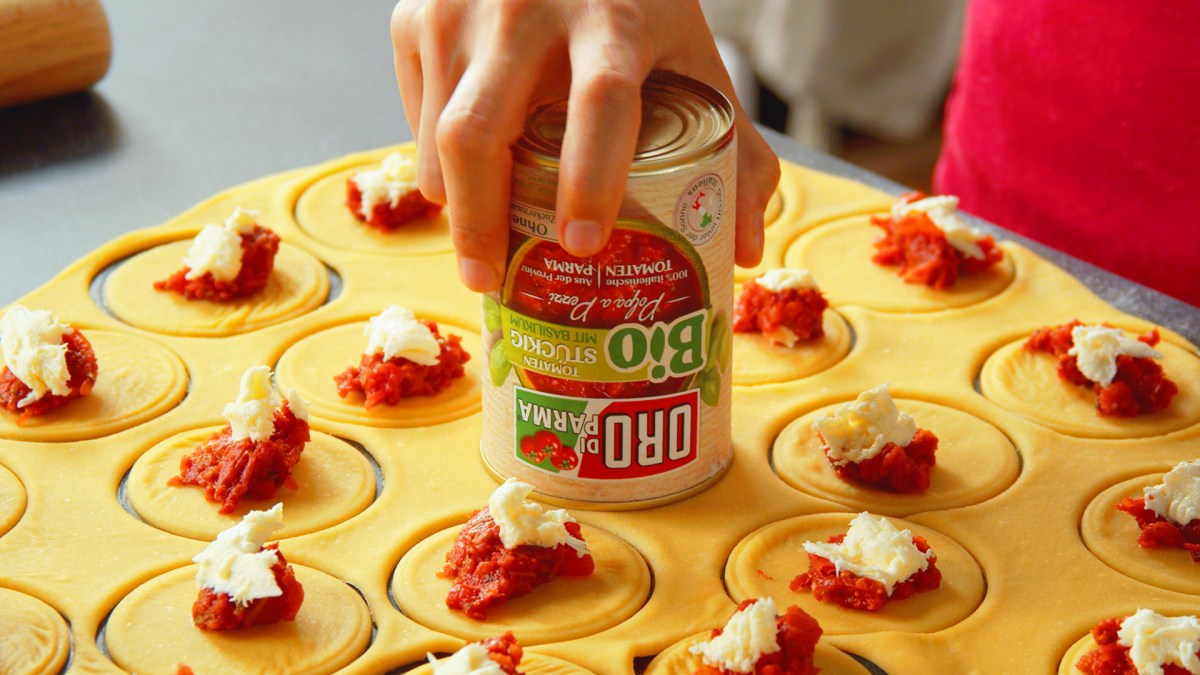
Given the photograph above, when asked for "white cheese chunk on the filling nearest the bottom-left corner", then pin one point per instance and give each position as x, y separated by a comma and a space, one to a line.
237, 565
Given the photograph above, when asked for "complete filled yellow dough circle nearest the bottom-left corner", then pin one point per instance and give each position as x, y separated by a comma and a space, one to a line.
152, 631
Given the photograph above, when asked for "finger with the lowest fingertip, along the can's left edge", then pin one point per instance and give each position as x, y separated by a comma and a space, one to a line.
482, 120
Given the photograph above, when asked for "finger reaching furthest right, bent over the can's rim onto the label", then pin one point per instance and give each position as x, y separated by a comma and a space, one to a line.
610, 58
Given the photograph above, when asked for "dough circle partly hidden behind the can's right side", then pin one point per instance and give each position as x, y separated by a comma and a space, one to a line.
758, 362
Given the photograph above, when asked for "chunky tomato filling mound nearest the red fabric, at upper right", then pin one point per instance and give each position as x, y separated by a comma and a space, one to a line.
925, 255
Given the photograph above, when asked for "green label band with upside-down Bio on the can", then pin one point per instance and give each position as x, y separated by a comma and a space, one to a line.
631, 353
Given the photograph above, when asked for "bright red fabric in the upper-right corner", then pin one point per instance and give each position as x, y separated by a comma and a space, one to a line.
1077, 123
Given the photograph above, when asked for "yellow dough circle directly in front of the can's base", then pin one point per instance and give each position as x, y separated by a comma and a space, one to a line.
563, 610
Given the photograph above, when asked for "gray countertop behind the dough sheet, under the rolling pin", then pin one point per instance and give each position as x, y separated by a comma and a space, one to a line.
207, 95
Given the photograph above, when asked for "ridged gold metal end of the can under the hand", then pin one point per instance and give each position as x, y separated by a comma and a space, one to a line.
683, 122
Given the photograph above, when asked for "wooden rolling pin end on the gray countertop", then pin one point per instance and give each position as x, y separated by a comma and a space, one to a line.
51, 47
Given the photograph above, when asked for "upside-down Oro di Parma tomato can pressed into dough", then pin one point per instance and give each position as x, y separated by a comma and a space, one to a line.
609, 377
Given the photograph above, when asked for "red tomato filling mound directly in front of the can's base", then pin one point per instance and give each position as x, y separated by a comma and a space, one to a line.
487, 575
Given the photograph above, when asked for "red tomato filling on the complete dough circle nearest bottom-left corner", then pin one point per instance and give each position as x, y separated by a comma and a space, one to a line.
218, 612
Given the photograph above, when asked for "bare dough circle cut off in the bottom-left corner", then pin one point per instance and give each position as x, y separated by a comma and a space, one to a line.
34, 638
